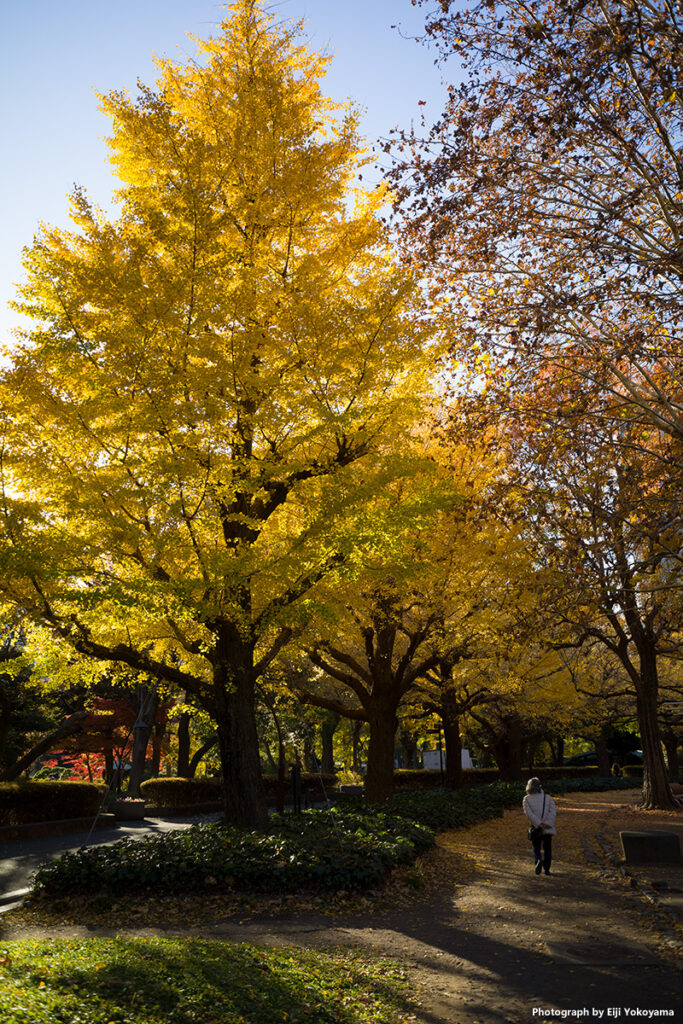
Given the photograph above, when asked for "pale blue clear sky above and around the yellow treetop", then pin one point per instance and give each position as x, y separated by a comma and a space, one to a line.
55, 55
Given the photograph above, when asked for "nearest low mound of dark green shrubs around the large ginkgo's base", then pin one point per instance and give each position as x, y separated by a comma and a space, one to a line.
314, 850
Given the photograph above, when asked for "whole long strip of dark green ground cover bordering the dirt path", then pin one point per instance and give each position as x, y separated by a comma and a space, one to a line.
351, 847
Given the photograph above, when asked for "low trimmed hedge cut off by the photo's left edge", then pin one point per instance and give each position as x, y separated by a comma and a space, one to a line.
45, 800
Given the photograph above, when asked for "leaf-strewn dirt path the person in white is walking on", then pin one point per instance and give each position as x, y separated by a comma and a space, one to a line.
500, 946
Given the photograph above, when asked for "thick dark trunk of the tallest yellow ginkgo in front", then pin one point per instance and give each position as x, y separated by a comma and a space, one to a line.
244, 794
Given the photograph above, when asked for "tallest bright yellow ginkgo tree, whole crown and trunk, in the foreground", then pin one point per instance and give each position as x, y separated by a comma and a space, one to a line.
184, 425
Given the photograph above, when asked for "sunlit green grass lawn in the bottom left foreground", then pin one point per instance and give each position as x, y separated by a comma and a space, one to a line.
191, 982
